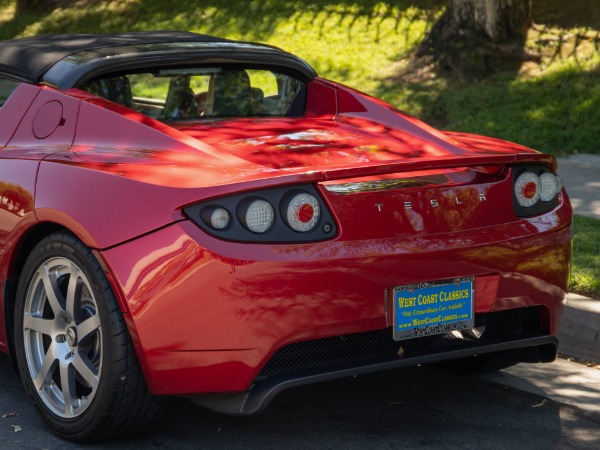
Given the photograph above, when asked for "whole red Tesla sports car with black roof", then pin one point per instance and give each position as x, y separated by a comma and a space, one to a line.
187, 215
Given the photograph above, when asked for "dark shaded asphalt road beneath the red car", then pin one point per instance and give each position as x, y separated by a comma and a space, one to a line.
411, 408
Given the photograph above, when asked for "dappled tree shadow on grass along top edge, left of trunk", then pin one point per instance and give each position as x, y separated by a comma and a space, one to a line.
254, 20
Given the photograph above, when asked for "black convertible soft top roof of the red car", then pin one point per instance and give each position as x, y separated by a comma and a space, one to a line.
30, 59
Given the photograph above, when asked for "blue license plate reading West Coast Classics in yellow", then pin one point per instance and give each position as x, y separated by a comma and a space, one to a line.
436, 307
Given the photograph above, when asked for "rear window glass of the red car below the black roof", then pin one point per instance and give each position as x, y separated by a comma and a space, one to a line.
204, 93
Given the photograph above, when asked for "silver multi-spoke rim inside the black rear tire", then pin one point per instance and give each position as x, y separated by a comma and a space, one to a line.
62, 337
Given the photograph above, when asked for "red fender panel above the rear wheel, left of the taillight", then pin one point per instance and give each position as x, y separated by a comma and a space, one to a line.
79, 198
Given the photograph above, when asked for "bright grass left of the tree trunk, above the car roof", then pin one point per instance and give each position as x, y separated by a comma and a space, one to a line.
355, 42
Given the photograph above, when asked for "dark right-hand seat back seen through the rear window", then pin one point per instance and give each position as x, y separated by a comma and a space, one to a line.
229, 95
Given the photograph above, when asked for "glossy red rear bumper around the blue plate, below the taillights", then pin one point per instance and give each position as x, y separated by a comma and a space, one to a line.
206, 316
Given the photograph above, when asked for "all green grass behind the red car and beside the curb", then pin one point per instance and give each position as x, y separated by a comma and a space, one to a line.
553, 106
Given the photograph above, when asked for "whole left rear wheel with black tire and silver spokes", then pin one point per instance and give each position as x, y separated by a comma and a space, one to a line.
74, 353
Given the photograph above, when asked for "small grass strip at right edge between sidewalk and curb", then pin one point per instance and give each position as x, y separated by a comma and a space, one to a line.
585, 272
